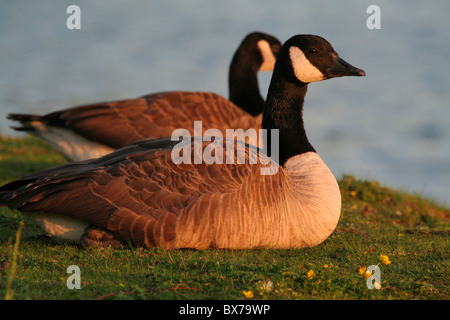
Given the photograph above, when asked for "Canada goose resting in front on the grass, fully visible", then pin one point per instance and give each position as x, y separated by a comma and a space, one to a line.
138, 195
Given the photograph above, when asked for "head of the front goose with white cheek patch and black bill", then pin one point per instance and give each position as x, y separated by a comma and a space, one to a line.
312, 58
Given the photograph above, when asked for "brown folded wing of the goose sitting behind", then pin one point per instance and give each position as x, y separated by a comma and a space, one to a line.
119, 123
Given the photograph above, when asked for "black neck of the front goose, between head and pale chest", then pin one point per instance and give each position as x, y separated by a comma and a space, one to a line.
284, 111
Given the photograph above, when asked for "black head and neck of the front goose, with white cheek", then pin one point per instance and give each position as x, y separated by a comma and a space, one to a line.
302, 59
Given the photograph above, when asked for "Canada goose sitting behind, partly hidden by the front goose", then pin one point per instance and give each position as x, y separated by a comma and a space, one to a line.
94, 130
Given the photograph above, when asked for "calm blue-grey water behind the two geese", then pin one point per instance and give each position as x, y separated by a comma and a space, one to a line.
392, 126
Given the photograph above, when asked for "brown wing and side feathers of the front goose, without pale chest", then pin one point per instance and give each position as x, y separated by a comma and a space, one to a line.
142, 196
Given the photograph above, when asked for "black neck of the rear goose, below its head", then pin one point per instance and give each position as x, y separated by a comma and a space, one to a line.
244, 90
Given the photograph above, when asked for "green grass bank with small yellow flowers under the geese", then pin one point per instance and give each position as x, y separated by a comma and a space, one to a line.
411, 230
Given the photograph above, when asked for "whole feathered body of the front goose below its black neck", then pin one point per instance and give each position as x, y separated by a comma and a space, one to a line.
142, 197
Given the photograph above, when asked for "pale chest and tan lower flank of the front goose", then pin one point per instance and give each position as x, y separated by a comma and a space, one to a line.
296, 207
